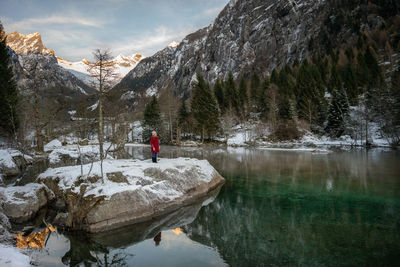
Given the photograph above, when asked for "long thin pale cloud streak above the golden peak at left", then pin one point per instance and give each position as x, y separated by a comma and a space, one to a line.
32, 23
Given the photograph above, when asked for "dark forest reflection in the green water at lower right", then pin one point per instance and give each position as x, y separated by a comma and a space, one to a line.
285, 227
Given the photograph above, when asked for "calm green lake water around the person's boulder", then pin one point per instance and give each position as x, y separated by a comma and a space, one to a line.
278, 208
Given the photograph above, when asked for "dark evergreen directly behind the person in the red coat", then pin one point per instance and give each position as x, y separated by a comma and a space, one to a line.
152, 119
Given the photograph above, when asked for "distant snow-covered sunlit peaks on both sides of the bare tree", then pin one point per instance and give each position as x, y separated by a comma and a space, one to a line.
123, 64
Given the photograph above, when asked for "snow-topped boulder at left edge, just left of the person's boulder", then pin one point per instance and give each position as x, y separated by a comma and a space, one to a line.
21, 203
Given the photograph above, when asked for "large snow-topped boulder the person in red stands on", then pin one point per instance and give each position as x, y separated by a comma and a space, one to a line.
131, 191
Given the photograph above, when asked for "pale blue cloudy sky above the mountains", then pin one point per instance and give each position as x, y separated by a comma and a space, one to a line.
74, 28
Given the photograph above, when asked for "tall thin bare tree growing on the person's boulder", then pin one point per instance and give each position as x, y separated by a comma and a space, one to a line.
103, 72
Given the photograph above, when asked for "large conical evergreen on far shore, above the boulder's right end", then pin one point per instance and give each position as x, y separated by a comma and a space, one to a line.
205, 108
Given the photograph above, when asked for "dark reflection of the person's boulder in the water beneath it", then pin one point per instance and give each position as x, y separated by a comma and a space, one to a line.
104, 249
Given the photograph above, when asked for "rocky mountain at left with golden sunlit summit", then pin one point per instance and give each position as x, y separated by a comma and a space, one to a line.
26, 51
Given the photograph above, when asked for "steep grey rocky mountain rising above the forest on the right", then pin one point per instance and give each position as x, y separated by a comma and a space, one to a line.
255, 36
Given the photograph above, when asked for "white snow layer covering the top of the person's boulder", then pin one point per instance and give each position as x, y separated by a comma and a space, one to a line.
136, 173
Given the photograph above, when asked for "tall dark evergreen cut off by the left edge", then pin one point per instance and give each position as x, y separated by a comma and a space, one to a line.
8, 91
